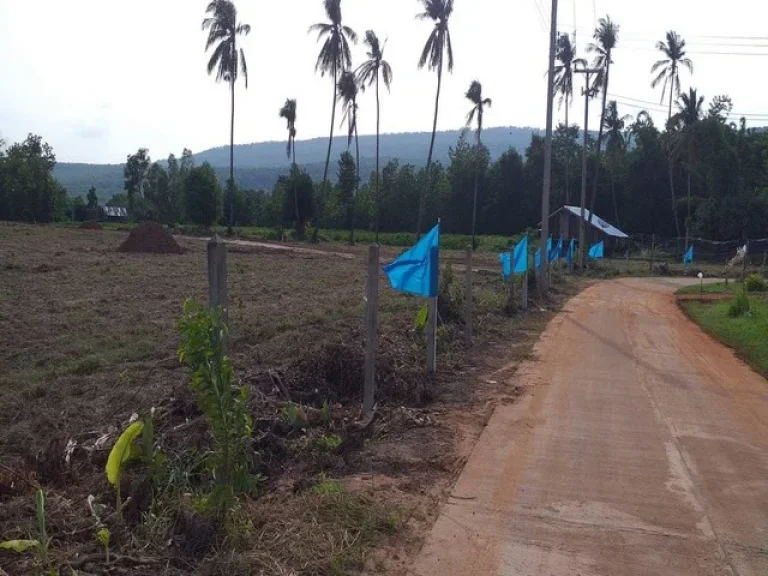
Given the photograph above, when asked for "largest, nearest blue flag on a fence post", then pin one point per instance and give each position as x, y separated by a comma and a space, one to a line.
416, 270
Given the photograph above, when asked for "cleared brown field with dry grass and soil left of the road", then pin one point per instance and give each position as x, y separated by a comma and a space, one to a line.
88, 338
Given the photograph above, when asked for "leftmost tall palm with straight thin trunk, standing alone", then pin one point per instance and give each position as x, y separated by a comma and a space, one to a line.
228, 61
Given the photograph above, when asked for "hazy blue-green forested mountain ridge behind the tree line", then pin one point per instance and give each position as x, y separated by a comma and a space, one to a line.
260, 164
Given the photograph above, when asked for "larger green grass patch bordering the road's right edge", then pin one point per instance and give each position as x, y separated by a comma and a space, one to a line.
747, 334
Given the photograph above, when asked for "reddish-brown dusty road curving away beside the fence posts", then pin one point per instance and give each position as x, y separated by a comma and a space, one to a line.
640, 448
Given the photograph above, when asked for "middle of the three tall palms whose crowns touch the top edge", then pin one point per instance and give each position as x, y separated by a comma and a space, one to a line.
334, 57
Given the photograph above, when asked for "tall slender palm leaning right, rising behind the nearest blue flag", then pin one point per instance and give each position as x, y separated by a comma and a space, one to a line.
437, 47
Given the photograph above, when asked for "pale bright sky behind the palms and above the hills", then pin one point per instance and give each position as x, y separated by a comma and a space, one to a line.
99, 79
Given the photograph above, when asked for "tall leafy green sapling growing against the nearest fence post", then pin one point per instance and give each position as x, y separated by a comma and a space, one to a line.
203, 333
